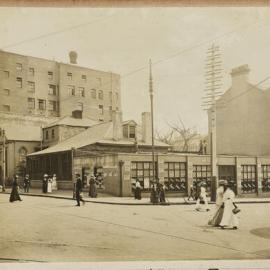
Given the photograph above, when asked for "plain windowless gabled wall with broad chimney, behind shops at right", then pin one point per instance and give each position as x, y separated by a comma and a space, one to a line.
243, 117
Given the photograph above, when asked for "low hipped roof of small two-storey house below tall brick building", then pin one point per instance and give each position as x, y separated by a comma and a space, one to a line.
74, 122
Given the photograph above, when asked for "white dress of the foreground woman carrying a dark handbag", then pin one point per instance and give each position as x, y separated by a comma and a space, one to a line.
229, 219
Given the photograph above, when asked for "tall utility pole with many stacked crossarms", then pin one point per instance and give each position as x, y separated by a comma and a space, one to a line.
213, 78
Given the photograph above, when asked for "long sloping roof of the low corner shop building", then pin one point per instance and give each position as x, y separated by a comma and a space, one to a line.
100, 133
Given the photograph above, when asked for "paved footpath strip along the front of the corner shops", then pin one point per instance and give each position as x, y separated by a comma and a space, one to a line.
104, 198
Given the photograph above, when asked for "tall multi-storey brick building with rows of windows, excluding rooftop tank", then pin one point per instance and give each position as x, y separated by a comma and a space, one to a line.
35, 86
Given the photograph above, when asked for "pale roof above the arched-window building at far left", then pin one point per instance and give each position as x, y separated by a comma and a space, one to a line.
22, 133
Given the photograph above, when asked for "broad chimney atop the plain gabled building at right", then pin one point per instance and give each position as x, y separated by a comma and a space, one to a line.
240, 77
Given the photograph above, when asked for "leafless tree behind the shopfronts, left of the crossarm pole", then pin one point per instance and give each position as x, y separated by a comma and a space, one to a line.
187, 134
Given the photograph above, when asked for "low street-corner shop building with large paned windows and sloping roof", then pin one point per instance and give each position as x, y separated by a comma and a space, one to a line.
121, 153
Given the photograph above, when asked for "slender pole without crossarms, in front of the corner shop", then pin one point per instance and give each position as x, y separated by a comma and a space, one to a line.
151, 92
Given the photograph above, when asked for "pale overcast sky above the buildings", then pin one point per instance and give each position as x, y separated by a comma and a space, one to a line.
123, 40
